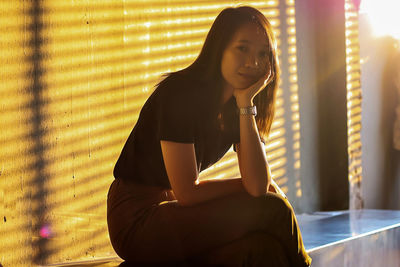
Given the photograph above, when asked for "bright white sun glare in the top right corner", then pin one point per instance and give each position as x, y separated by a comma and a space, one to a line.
383, 16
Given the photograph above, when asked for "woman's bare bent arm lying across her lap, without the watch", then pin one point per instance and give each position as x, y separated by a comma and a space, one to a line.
181, 167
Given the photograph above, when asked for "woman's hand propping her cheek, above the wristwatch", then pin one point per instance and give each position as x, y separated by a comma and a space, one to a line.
244, 97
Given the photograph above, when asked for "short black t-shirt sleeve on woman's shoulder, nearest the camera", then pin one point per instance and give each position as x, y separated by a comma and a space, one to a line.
177, 115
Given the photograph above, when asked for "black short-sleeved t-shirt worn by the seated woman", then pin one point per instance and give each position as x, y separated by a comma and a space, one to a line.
176, 111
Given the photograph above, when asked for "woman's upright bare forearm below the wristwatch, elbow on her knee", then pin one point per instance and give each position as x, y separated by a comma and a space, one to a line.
252, 158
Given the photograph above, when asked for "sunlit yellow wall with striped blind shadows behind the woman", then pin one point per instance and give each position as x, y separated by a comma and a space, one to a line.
74, 77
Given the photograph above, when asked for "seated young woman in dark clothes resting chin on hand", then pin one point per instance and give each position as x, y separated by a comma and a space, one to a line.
158, 211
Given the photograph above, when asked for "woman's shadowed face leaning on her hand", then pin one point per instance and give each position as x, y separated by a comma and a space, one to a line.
246, 58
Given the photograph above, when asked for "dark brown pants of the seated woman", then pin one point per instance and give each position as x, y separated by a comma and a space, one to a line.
146, 225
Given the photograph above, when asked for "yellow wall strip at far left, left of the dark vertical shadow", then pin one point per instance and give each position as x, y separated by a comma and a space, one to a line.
17, 137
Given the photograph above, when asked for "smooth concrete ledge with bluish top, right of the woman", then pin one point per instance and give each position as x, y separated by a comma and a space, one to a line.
352, 238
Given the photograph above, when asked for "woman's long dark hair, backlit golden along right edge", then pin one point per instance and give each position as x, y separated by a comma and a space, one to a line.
206, 69
